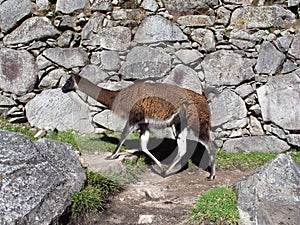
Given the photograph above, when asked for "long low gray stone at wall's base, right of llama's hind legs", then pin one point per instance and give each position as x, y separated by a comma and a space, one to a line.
256, 143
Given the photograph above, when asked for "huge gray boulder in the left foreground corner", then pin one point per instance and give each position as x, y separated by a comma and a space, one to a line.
38, 179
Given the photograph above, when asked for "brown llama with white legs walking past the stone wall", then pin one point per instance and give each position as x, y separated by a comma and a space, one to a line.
155, 104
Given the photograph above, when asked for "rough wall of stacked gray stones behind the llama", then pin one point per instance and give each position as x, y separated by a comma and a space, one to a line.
249, 50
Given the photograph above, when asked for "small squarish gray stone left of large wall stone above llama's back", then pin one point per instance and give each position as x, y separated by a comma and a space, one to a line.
110, 60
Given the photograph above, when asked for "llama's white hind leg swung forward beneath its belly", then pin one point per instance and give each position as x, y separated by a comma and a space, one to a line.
182, 149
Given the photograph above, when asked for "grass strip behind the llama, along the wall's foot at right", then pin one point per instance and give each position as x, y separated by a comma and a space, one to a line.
242, 160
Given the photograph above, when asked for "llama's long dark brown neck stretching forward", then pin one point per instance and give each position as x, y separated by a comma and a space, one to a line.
102, 95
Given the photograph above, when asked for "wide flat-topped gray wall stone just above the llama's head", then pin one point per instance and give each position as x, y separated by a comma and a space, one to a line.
67, 57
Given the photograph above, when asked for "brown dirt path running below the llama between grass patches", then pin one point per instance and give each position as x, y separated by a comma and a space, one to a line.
160, 201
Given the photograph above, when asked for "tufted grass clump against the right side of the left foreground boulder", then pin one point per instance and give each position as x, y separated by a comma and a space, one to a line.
94, 194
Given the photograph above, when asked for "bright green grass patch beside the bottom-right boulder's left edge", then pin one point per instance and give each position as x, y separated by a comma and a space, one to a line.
216, 205
